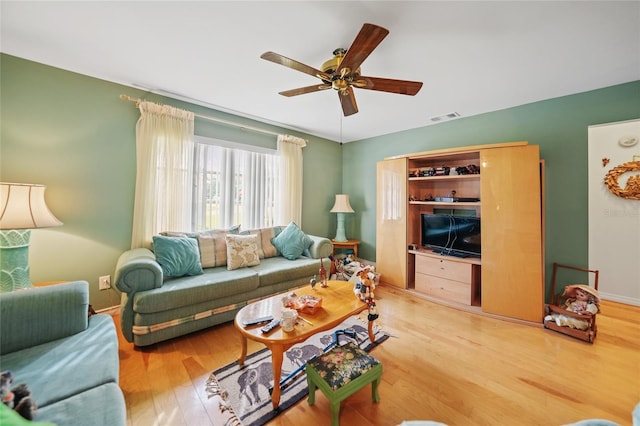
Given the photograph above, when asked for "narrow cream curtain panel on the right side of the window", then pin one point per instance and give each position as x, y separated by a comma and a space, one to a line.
290, 203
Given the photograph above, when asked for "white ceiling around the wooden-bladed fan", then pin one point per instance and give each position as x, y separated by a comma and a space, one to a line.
473, 57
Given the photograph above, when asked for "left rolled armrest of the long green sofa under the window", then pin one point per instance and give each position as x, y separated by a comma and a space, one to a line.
137, 270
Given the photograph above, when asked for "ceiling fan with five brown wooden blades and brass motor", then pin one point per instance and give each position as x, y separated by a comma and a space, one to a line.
342, 72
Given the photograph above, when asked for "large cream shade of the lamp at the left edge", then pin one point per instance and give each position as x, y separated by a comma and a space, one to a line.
22, 206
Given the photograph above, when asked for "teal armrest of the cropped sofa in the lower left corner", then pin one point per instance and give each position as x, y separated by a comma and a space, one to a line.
39, 315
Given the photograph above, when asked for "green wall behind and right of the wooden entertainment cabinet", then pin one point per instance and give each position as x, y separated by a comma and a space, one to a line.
558, 126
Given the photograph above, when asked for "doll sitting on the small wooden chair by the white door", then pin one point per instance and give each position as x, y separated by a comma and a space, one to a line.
580, 299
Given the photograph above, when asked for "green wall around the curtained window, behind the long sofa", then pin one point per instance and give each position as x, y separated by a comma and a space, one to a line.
73, 133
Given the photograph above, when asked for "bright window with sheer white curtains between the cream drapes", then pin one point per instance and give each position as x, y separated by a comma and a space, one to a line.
233, 186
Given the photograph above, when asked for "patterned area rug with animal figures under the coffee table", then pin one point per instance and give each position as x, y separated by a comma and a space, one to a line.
243, 393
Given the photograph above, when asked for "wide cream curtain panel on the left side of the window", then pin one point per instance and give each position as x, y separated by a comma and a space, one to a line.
164, 154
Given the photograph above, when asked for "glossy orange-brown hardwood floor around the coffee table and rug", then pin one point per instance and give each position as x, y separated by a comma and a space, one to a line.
440, 364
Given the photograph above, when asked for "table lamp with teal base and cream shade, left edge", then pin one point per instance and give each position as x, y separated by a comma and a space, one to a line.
22, 208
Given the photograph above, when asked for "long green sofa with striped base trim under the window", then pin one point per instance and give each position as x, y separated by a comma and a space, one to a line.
155, 307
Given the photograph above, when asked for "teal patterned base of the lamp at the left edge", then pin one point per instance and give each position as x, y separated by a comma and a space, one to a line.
14, 259
